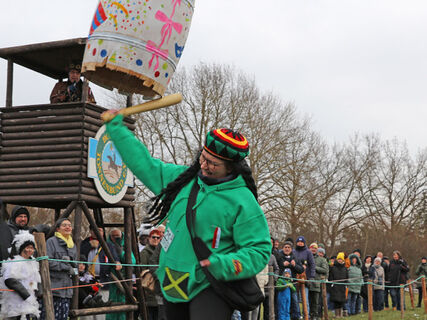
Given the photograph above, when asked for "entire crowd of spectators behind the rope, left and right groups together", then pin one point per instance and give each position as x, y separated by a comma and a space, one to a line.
294, 265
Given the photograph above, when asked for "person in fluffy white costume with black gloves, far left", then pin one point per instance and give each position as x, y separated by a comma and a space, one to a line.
22, 276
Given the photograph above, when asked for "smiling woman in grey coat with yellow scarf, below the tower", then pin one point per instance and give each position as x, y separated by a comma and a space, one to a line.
61, 247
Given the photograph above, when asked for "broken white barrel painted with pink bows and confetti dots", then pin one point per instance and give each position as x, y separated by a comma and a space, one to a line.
135, 46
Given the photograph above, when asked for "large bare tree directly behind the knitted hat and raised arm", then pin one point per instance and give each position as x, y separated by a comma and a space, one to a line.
218, 96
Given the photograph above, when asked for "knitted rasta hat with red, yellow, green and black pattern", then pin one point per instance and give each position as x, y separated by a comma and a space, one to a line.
226, 144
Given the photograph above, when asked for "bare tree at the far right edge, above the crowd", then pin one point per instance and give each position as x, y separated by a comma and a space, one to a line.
397, 190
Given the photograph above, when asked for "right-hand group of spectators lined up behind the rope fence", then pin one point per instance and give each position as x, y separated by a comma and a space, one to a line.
347, 280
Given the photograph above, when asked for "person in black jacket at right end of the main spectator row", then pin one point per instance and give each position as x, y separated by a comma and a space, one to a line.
398, 275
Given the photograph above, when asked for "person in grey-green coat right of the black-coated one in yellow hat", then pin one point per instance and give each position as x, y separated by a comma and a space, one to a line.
356, 279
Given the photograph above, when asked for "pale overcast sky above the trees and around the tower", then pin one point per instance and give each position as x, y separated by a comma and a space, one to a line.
352, 66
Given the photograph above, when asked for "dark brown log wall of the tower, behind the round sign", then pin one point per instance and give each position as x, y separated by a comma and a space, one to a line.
43, 155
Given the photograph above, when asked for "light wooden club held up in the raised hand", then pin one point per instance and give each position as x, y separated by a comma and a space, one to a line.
147, 106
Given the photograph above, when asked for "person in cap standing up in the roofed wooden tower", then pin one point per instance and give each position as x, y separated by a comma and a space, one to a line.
71, 90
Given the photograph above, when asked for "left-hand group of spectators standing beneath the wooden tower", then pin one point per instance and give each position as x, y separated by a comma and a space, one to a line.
95, 274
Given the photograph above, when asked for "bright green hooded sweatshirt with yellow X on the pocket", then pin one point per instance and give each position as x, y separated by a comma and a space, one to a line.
228, 219
